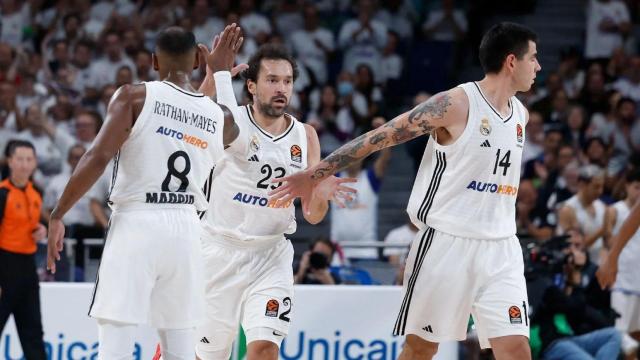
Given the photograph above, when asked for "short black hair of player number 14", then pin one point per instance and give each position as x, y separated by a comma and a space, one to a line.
501, 40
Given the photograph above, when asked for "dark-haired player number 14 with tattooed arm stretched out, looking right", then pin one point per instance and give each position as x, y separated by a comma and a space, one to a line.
466, 257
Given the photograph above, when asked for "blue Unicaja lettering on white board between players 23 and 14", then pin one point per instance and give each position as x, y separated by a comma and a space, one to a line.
302, 346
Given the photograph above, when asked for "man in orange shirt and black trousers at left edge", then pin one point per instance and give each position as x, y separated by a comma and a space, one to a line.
20, 229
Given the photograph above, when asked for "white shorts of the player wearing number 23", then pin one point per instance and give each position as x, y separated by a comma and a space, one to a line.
246, 283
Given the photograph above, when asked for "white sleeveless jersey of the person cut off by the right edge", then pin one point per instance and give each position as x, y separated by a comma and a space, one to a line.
627, 278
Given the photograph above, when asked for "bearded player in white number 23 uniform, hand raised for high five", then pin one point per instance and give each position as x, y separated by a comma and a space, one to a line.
248, 260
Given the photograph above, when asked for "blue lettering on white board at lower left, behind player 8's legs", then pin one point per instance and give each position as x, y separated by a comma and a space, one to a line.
61, 348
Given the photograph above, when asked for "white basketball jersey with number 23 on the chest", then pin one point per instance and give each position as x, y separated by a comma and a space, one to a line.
240, 206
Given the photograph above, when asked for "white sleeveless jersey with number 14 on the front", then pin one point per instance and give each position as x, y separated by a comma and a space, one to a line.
468, 188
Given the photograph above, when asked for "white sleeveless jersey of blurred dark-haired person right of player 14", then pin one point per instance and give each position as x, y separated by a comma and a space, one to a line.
588, 224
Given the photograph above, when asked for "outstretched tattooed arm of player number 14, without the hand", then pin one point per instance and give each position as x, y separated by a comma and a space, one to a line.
440, 111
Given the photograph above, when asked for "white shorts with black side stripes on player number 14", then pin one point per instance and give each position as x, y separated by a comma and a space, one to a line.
447, 278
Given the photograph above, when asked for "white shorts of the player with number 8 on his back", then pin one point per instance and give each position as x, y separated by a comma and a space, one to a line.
151, 269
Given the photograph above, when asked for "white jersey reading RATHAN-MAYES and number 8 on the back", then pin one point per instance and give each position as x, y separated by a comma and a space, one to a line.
170, 152
